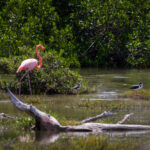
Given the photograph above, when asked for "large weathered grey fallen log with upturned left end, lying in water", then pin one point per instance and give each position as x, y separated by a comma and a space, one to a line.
49, 123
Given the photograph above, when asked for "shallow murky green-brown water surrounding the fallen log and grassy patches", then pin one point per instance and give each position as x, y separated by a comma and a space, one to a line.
109, 84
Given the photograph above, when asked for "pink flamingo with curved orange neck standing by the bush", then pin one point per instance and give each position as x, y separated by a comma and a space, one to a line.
30, 64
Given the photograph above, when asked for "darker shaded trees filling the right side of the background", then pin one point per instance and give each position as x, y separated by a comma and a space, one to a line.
105, 31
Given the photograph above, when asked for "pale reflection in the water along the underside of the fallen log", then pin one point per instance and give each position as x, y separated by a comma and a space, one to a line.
46, 137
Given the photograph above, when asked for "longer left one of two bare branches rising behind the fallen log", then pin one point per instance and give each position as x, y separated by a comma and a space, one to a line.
104, 114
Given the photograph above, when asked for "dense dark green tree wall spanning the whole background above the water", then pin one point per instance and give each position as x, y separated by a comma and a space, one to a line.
96, 33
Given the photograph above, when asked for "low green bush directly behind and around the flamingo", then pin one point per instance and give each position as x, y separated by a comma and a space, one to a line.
54, 76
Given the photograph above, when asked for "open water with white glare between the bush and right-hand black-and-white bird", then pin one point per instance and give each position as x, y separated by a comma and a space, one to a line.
110, 83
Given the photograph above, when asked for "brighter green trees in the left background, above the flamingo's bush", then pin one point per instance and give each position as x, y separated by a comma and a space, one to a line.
32, 22
